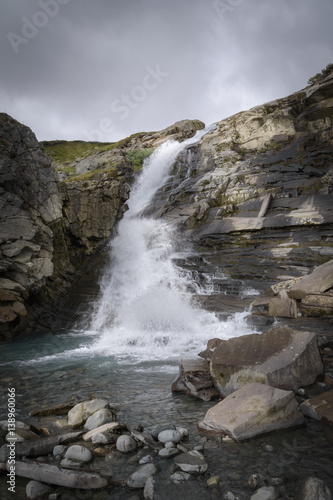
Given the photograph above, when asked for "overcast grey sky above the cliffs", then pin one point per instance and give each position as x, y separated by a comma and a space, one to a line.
104, 69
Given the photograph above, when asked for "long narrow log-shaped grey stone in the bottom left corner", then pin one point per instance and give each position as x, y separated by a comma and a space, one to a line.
52, 474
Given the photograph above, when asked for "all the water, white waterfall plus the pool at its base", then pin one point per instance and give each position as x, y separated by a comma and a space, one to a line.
145, 318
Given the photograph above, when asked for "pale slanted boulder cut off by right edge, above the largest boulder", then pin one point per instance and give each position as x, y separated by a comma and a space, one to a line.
320, 280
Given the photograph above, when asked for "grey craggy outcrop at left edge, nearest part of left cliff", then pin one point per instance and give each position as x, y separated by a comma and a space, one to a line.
30, 208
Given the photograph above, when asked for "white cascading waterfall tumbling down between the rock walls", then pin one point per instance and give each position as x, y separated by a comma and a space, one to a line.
146, 310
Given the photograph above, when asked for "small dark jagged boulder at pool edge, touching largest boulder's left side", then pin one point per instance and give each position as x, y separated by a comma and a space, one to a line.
194, 378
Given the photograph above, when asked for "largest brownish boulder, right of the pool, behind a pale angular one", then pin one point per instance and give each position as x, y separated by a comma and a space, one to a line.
281, 357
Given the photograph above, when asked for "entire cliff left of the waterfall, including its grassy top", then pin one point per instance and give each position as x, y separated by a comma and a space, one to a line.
55, 218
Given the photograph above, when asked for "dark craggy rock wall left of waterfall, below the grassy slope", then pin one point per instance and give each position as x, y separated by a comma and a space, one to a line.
47, 229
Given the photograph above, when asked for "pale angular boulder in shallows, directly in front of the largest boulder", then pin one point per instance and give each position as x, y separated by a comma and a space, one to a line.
253, 410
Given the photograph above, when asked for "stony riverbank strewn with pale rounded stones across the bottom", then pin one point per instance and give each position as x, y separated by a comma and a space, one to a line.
84, 450
